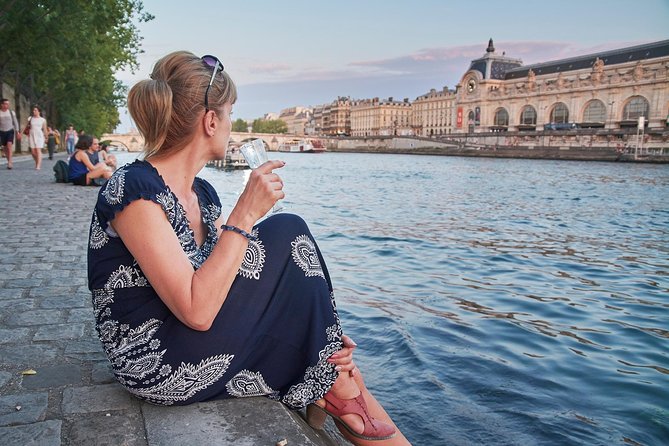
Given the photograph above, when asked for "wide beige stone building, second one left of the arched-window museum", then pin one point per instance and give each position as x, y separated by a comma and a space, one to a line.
381, 117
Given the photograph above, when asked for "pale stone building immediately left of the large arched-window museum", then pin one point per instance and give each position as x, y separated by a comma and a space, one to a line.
433, 113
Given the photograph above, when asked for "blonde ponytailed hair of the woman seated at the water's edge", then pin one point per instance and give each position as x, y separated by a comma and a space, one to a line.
167, 107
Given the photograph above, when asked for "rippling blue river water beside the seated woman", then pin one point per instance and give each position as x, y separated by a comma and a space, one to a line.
506, 302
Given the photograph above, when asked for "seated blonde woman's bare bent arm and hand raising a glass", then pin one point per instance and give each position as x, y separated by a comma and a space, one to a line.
195, 297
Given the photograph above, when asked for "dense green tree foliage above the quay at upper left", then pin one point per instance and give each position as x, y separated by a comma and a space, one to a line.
62, 55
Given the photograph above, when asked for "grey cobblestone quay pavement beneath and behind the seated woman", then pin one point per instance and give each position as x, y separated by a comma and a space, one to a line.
46, 325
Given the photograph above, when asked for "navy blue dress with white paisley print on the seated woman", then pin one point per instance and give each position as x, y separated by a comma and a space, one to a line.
272, 337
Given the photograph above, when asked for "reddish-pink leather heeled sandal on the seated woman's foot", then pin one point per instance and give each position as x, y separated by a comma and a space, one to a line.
336, 408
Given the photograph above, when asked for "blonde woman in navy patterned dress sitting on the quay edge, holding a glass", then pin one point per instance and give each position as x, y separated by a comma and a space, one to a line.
191, 305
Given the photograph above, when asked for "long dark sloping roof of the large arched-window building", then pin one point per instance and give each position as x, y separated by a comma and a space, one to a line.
613, 57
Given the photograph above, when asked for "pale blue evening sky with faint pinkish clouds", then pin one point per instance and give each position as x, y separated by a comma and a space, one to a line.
286, 53
